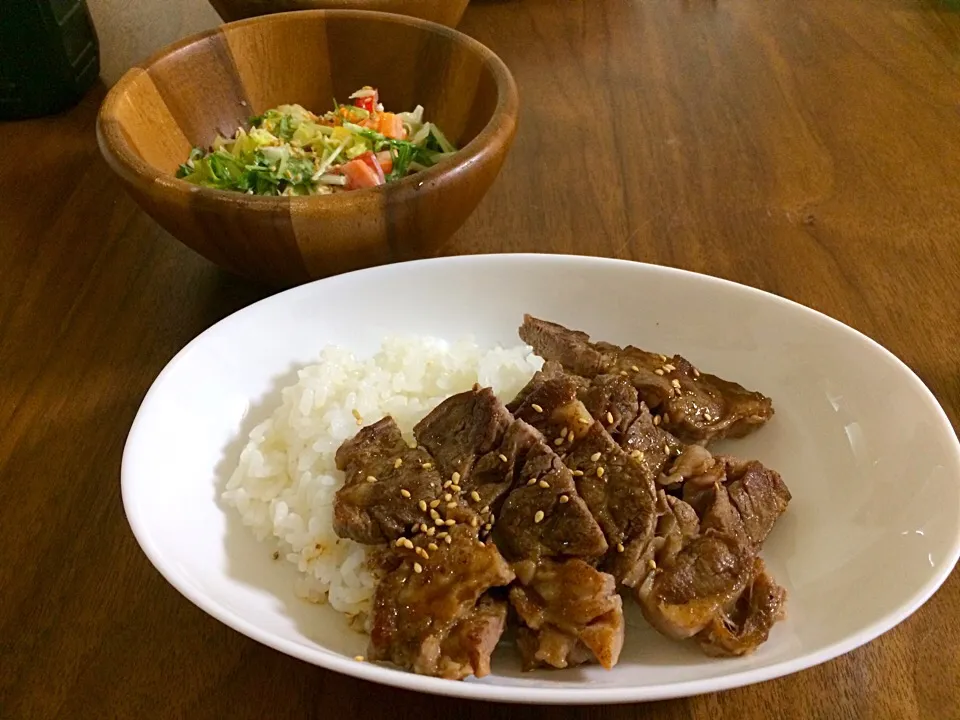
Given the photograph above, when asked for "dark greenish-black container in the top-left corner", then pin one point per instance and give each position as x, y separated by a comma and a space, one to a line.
49, 56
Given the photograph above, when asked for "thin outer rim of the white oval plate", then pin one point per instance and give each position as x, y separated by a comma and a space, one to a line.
518, 694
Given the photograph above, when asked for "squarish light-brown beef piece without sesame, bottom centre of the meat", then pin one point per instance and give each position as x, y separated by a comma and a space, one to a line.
570, 613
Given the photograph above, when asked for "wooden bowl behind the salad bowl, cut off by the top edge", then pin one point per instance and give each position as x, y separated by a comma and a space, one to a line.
445, 12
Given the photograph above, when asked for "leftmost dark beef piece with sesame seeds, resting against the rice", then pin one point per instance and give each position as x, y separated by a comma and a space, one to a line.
386, 480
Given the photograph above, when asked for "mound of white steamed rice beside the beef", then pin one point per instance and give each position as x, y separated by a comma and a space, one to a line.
285, 482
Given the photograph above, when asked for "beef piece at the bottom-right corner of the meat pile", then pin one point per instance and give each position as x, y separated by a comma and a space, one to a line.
746, 626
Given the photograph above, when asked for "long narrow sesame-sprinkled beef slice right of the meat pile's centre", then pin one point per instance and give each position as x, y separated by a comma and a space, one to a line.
619, 494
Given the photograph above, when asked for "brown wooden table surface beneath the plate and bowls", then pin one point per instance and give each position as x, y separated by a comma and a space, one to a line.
809, 148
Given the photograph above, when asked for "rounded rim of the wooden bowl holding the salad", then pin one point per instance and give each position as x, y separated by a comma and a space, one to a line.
121, 156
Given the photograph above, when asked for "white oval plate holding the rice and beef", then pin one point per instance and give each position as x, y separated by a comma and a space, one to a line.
871, 459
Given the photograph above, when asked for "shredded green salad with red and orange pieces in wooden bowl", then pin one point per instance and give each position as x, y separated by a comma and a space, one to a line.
291, 151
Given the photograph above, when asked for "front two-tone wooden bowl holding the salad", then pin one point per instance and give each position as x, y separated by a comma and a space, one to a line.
214, 82
